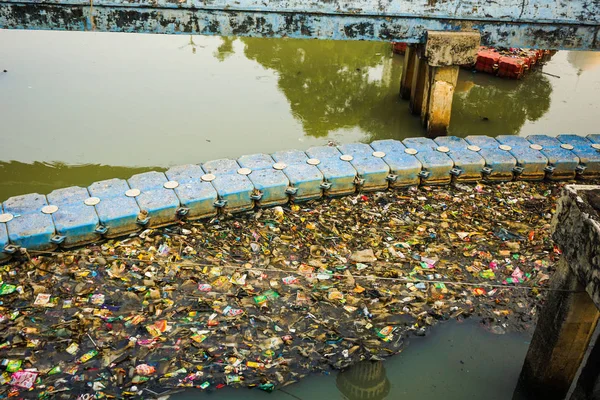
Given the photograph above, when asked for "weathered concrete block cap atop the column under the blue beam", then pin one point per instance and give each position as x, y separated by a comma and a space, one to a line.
451, 48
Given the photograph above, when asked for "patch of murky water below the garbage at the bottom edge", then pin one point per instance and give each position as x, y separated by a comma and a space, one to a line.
456, 361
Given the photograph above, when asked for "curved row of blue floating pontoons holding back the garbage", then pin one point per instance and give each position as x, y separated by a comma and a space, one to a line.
75, 216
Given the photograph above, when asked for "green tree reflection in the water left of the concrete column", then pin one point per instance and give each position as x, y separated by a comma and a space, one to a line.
337, 86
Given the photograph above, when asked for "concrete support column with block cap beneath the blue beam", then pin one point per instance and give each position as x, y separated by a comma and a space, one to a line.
431, 72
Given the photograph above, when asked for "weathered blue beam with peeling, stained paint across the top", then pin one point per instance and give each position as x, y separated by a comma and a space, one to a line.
548, 24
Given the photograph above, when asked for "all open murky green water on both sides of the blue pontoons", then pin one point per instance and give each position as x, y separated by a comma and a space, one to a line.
81, 107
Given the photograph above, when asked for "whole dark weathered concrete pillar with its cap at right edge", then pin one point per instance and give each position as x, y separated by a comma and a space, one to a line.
570, 314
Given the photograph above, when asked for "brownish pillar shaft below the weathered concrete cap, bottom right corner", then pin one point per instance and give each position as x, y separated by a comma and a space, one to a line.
565, 326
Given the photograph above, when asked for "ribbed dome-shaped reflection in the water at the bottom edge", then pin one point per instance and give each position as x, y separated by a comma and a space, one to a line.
365, 380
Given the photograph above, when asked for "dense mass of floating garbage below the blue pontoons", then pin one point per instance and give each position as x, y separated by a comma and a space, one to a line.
264, 298
